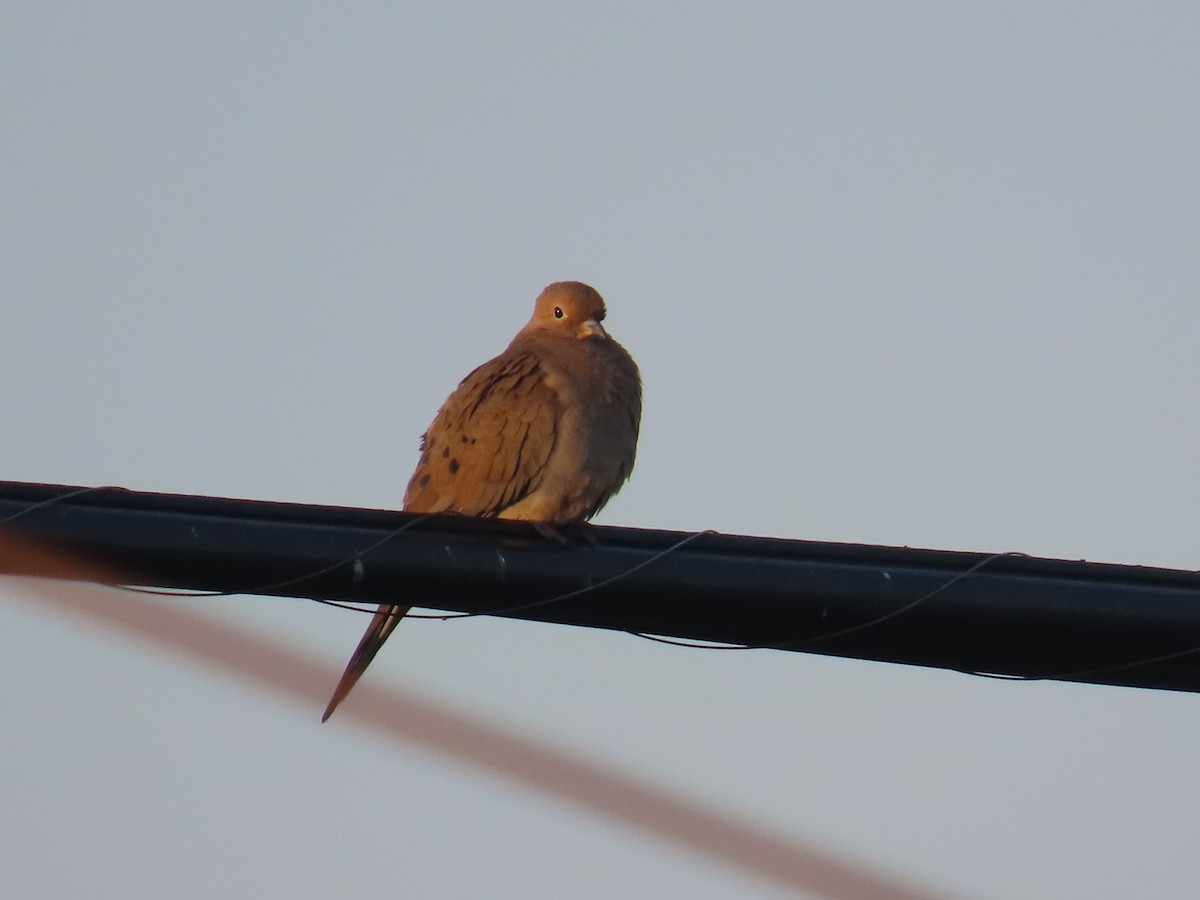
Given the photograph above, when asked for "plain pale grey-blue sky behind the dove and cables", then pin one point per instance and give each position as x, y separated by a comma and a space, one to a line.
914, 274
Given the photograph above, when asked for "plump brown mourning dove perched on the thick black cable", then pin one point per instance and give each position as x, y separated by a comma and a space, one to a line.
547, 433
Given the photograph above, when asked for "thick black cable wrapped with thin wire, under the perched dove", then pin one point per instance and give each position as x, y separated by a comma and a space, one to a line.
1003, 614
